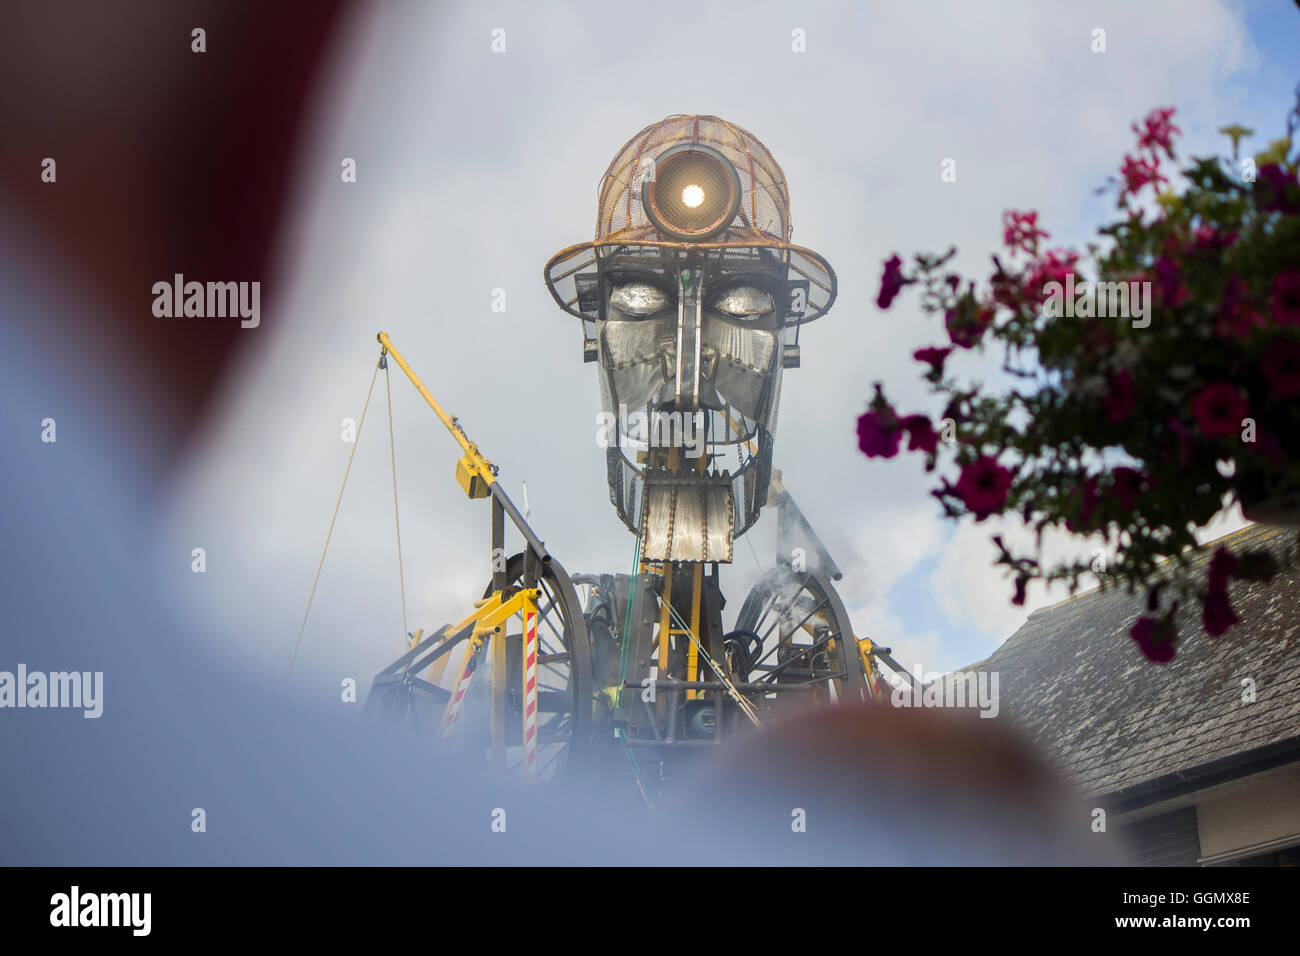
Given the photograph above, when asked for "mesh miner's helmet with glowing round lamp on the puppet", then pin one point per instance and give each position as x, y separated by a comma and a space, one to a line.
694, 184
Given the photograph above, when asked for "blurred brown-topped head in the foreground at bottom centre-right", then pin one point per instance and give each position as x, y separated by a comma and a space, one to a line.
874, 785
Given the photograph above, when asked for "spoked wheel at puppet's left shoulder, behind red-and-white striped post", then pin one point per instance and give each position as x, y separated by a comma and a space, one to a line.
564, 681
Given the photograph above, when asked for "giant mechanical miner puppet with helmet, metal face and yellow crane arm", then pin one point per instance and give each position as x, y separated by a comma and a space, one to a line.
691, 300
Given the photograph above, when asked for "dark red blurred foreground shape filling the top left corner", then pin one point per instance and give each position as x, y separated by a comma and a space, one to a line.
167, 161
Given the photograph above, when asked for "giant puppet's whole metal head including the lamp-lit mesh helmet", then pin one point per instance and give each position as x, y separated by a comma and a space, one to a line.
691, 297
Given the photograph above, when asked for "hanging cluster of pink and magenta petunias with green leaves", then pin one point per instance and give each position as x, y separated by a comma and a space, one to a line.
1134, 412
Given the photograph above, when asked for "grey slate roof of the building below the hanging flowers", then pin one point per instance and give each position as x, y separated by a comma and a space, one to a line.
1123, 728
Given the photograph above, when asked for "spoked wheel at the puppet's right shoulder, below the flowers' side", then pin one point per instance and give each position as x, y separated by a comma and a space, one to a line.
794, 630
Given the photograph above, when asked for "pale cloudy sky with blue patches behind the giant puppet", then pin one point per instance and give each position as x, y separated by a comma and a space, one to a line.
475, 167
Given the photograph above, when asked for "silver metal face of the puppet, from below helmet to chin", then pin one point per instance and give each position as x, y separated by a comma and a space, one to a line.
691, 364
